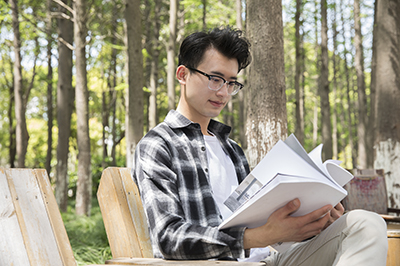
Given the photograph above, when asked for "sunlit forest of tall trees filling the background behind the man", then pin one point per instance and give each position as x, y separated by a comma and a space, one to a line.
90, 78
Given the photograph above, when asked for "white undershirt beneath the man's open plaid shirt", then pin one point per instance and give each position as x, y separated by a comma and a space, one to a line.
223, 182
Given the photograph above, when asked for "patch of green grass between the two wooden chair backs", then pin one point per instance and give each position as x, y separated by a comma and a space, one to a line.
87, 236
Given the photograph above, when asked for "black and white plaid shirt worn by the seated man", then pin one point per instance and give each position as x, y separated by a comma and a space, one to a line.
171, 169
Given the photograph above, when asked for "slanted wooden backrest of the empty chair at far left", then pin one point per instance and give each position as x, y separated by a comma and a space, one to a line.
31, 229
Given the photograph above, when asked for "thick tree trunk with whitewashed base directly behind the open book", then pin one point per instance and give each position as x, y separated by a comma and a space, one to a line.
267, 116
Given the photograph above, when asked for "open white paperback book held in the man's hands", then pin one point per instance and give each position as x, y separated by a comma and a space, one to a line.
285, 173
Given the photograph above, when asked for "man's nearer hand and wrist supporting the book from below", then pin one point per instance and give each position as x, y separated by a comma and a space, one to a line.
281, 227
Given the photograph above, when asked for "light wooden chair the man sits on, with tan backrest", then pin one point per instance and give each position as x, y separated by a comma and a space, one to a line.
126, 224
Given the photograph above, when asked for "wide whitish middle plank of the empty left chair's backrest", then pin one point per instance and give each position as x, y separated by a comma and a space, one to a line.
36, 229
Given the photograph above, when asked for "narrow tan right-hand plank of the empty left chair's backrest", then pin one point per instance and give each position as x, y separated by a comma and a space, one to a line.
57, 224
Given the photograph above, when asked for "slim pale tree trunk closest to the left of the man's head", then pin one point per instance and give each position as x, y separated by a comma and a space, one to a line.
173, 11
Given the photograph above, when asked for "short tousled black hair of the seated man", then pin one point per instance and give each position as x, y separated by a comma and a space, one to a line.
227, 41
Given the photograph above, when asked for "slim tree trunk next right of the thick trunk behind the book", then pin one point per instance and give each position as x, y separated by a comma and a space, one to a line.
299, 131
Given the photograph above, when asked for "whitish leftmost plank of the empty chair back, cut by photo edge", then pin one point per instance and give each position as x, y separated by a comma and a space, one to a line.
12, 247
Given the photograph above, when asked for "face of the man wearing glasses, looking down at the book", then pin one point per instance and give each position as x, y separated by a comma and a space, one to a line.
197, 100
